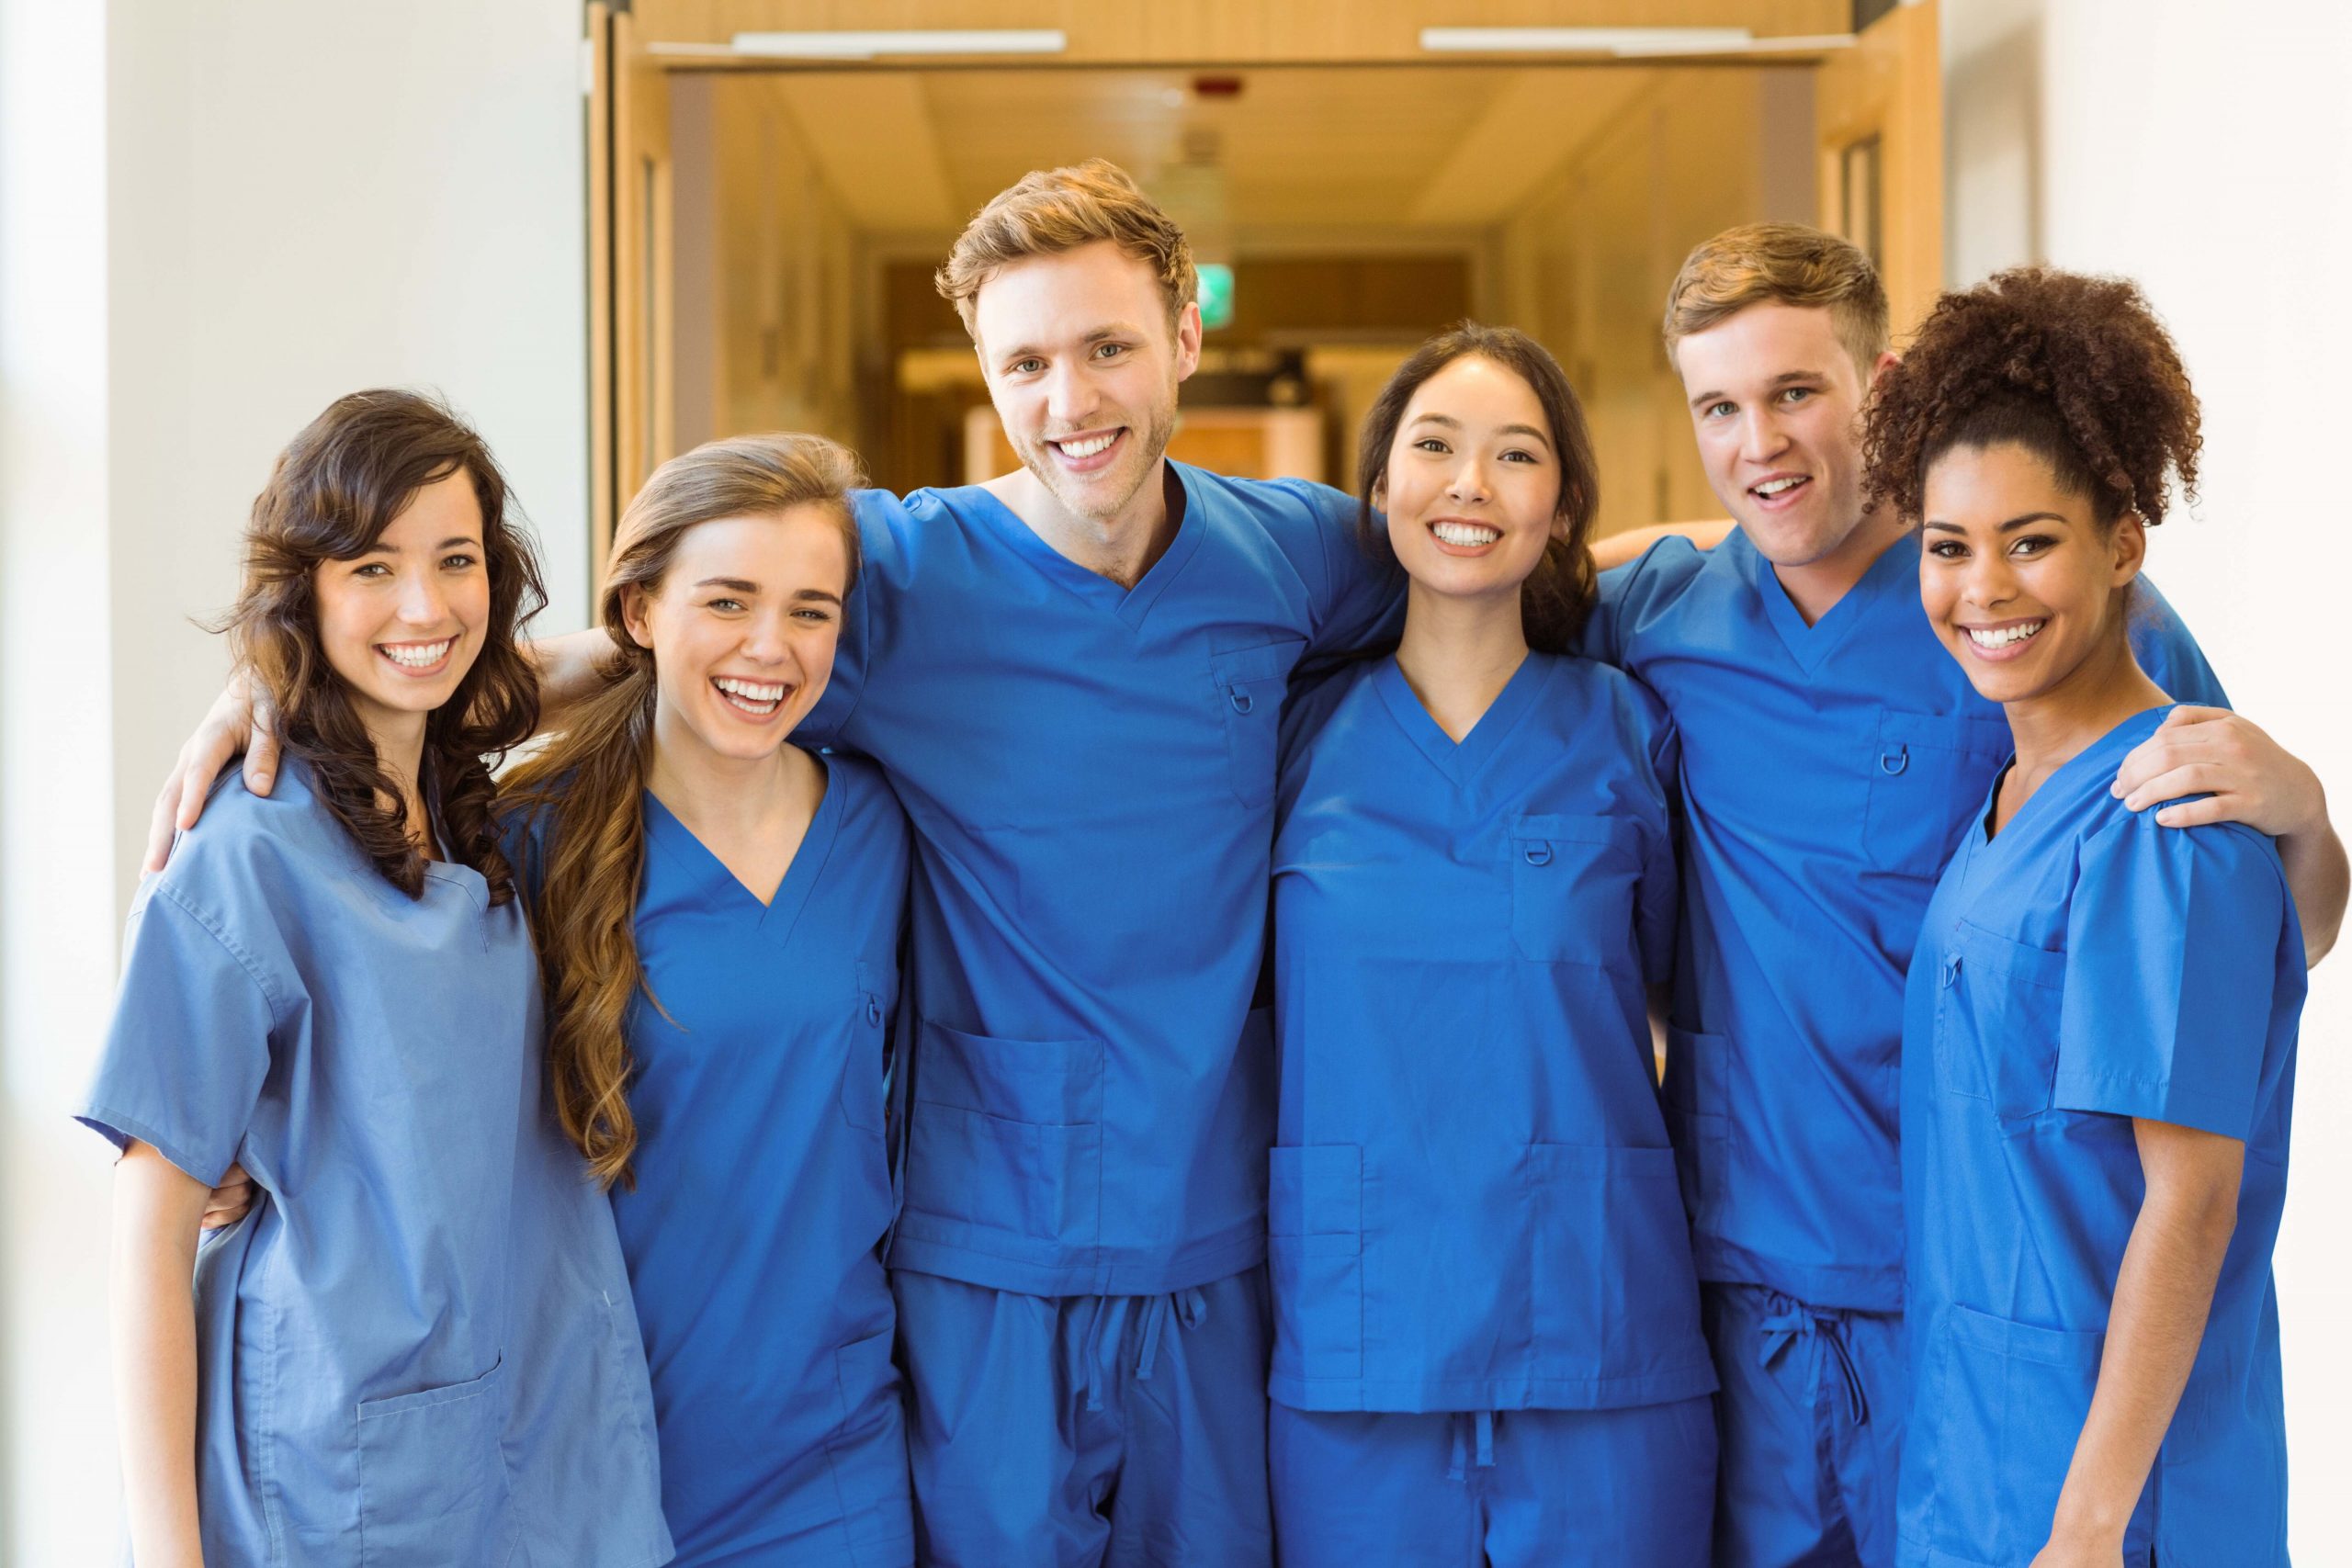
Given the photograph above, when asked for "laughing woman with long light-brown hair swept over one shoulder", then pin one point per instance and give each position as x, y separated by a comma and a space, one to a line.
719, 923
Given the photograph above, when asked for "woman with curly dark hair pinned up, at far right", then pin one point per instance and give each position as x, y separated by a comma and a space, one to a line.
2102, 1019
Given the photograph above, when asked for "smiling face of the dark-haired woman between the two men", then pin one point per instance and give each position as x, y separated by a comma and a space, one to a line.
1474, 483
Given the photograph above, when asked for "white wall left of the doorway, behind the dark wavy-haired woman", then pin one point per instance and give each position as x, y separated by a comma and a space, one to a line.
213, 222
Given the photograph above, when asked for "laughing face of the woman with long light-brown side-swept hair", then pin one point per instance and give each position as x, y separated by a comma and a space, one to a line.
742, 629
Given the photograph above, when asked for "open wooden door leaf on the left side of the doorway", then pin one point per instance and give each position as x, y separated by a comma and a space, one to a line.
632, 239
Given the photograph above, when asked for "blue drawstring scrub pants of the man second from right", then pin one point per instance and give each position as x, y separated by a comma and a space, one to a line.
1812, 1430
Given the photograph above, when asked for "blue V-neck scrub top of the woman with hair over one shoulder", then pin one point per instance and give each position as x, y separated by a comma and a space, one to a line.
754, 1231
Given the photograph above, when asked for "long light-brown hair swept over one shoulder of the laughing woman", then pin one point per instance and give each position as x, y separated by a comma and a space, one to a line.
584, 791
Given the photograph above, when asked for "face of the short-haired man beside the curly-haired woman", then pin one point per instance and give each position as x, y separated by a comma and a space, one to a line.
1777, 401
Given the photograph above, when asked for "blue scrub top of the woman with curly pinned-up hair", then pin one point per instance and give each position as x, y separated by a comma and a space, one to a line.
2076, 972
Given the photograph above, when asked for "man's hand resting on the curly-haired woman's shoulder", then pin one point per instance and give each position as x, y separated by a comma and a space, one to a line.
2245, 775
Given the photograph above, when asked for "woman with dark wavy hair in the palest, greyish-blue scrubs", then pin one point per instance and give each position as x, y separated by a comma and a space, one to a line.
417, 1346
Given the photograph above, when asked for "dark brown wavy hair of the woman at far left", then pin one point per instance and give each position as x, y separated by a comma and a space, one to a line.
330, 497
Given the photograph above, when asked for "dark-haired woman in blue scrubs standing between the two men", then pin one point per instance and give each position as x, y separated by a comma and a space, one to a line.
1488, 1318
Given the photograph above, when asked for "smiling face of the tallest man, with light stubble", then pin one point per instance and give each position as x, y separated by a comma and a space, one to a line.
1083, 368
